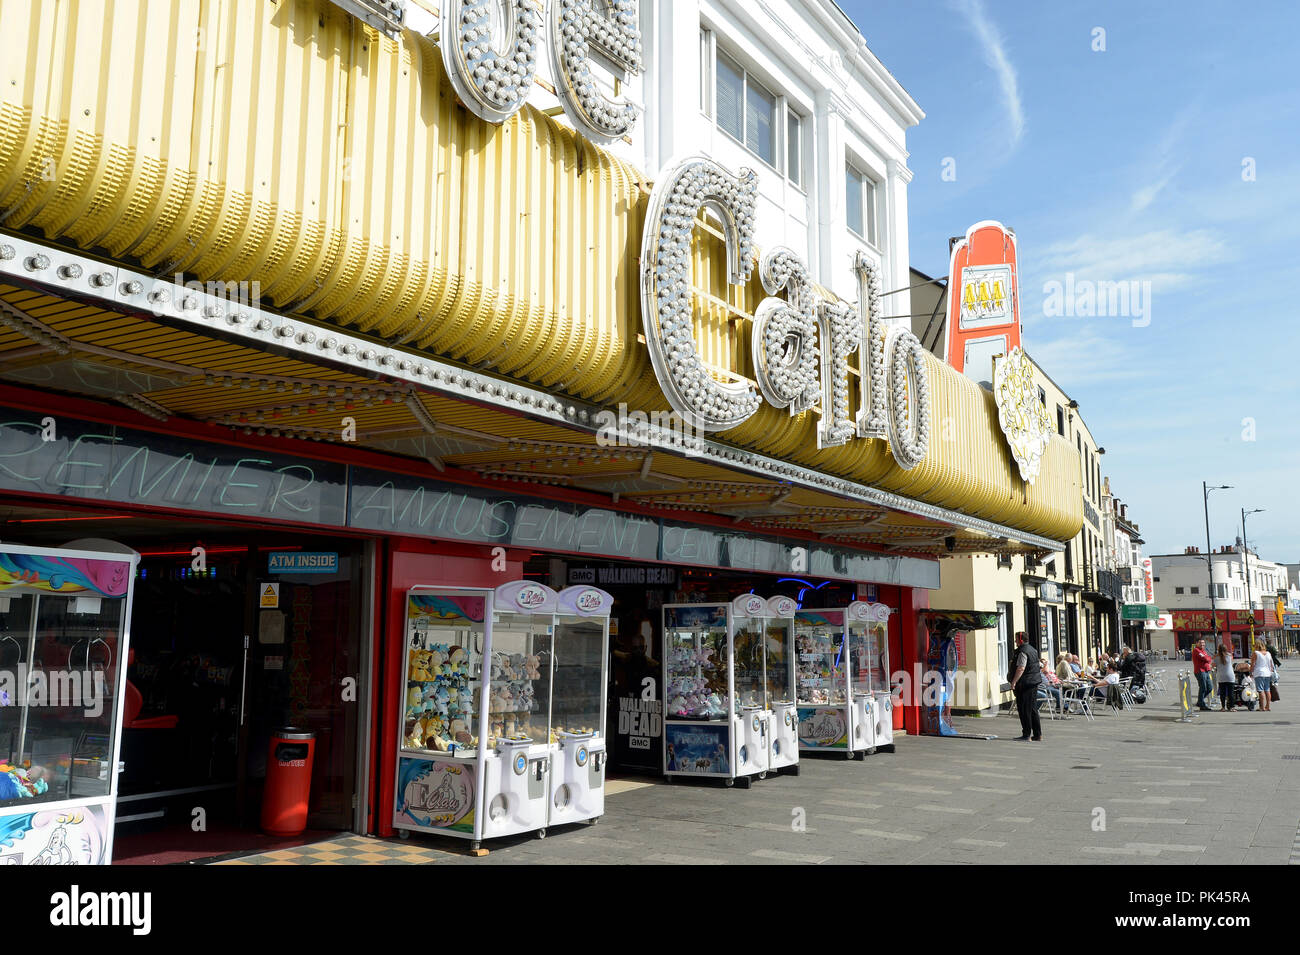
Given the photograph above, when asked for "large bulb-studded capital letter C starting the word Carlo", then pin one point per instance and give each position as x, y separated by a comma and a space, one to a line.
684, 189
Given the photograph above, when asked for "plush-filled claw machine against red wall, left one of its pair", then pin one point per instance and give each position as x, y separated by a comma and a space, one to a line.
475, 757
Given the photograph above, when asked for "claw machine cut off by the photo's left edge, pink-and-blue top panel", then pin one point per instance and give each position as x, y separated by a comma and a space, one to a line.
64, 641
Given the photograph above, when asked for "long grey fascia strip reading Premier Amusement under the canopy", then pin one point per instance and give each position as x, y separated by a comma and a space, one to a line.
99, 463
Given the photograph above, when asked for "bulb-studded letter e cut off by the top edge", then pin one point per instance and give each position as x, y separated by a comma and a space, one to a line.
575, 28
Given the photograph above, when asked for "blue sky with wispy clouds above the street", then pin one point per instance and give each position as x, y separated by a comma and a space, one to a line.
1133, 164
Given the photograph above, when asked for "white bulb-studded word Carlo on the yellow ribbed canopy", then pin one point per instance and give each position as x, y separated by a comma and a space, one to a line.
800, 345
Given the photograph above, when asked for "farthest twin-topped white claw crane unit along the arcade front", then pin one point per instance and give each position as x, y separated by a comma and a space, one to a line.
842, 680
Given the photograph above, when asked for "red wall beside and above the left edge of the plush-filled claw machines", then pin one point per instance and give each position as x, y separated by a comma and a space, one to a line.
417, 565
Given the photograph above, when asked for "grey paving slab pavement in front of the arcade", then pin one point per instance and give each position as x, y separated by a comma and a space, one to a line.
1136, 788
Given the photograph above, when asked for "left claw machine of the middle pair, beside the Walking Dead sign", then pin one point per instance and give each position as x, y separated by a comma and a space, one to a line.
716, 723
